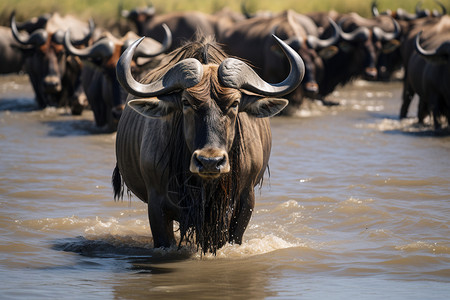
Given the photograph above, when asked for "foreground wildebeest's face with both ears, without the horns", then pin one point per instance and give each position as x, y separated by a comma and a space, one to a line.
209, 114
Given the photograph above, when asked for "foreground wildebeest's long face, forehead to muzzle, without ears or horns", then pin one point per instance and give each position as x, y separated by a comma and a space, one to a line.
209, 118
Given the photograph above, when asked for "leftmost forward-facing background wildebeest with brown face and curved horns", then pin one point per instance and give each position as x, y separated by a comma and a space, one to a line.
55, 77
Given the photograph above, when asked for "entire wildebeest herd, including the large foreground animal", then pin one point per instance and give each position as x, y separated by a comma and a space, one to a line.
194, 138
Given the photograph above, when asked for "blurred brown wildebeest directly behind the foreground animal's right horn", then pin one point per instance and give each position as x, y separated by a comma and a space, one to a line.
251, 40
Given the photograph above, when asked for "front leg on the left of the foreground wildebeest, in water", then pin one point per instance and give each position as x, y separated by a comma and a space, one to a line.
160, 224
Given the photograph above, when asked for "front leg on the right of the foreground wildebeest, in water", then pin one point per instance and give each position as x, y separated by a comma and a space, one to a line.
239, 223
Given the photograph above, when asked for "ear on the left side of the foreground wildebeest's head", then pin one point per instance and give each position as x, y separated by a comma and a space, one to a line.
156, 107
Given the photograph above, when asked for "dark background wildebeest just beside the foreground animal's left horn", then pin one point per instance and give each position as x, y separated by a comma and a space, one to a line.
105, 95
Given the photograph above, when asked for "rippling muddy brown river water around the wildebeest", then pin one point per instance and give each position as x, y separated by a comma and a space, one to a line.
357, 205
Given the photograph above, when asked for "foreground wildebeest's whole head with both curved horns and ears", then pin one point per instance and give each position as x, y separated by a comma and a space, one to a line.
208, 100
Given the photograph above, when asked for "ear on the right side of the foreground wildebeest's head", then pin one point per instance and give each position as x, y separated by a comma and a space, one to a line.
262, 107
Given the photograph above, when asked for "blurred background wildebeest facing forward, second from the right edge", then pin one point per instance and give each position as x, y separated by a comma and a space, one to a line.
361, 43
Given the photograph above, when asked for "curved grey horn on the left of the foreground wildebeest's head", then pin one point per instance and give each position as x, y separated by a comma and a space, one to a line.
182, 75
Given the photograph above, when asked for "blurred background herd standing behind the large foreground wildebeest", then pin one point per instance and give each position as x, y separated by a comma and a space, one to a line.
70, 62
